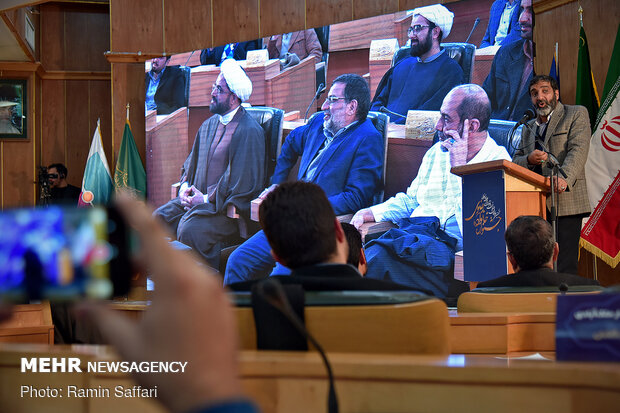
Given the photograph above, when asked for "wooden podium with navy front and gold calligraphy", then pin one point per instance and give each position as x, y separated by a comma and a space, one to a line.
495, 193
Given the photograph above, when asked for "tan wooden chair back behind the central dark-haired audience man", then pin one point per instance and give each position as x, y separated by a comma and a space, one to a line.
364, 322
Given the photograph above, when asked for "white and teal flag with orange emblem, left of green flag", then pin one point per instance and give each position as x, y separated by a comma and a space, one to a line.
97, 182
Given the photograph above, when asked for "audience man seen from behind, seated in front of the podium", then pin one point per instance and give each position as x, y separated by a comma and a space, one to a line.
532, 252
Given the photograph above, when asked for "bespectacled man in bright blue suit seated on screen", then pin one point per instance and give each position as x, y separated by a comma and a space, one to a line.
340, 150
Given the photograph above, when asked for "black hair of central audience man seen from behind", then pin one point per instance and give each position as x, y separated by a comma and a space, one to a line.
298, 221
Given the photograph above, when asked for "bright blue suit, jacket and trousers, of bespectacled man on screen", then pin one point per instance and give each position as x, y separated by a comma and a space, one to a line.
349, 172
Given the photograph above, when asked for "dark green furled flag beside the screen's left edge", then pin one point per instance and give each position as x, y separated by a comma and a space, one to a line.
129, 169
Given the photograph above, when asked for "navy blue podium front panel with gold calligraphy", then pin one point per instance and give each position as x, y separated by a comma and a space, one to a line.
484, 224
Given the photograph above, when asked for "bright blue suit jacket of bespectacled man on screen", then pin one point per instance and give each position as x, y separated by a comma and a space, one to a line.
350, 170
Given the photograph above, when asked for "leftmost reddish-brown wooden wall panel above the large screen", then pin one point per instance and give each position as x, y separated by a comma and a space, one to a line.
137, 25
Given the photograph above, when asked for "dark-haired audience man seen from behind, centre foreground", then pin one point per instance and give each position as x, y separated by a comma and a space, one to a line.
305, 236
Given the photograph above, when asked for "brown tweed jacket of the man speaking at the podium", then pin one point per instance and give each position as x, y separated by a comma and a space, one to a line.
568, 138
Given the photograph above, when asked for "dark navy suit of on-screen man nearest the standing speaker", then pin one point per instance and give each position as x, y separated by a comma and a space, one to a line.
502, 84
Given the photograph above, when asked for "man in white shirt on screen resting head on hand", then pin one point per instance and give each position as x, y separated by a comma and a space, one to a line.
429, 215
